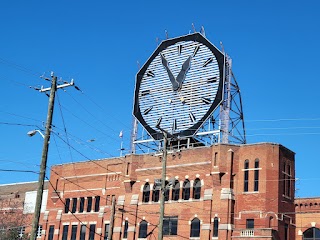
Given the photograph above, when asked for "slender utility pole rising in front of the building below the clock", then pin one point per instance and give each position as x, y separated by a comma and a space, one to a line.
163, 185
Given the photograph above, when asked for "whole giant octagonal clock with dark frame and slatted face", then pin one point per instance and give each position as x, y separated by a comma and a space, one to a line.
179, 87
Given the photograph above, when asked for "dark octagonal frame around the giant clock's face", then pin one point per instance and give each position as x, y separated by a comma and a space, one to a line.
219, 97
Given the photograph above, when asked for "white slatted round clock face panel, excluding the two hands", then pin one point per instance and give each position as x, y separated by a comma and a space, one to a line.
177, 110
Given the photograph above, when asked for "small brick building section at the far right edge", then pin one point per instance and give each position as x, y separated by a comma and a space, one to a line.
307, 218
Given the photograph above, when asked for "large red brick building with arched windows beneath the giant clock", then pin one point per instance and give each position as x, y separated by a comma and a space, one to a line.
219, 192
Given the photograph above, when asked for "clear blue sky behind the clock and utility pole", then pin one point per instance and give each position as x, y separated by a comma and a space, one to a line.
273, 44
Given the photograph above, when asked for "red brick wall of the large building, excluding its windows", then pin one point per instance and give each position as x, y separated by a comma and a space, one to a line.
220, 169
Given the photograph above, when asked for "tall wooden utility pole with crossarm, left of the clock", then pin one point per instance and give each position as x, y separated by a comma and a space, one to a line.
45, 148
